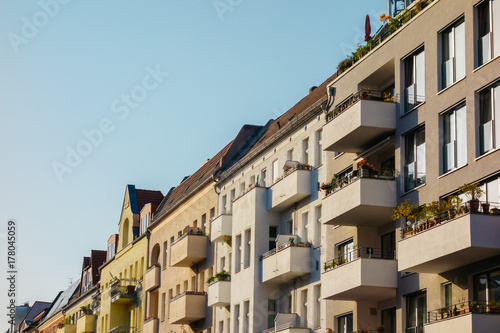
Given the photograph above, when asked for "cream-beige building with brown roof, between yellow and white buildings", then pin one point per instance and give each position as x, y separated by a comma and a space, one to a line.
181, 256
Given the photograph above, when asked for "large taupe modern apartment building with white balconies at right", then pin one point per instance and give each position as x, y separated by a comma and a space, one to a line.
415, 119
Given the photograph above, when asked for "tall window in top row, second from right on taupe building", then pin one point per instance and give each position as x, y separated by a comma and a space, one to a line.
453, 54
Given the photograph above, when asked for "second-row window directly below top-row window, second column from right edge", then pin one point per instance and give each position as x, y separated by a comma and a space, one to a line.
454, 139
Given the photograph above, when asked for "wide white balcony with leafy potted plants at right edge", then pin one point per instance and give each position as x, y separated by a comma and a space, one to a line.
448, 242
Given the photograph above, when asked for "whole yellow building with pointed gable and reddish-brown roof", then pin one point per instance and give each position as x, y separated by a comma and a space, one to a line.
119, 306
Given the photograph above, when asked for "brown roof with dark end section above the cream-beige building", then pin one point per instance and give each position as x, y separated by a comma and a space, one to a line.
227, 156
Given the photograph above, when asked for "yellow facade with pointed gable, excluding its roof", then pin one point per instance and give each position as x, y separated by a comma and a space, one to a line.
121, 291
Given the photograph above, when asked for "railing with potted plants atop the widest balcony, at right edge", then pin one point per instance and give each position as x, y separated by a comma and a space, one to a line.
445, 216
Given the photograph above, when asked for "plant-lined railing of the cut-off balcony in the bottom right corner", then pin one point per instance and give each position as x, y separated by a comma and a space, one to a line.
491, 307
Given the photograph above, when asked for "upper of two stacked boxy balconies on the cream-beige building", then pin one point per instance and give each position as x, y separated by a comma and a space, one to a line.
189, 249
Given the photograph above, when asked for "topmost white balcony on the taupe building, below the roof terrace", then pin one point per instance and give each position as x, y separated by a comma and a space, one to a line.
359, 122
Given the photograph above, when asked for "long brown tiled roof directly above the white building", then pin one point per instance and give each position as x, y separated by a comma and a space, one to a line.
287, 121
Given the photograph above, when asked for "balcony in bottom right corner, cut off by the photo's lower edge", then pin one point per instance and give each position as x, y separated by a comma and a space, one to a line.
464, 317
